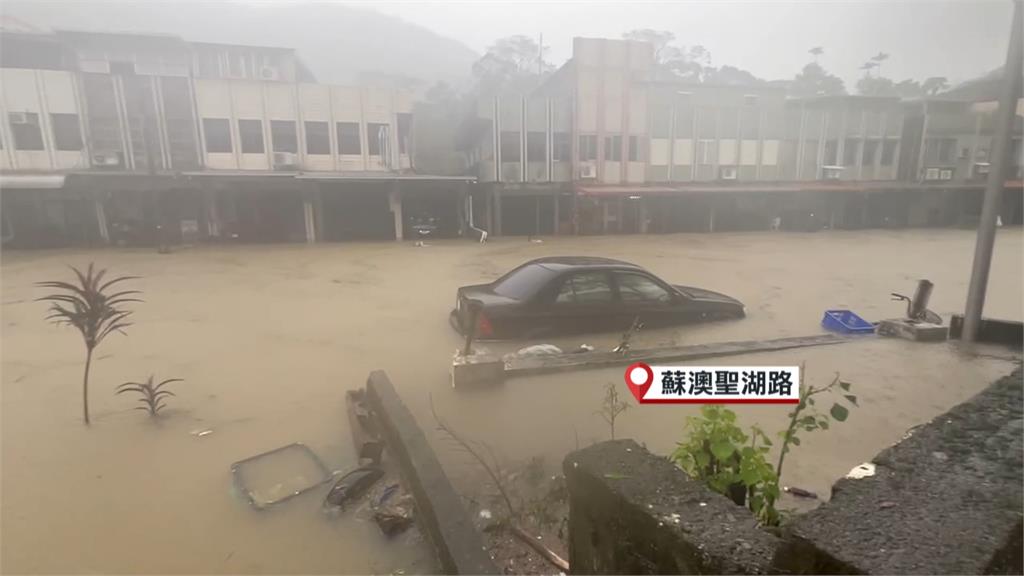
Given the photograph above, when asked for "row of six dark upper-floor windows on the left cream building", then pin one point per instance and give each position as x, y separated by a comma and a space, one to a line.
218, 133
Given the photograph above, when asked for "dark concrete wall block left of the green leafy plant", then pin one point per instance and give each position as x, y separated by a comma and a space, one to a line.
634, 513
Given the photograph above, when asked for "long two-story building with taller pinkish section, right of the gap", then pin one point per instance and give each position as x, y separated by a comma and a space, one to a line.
606, 147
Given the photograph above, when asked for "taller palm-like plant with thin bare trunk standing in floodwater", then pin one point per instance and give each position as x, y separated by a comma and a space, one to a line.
93, 309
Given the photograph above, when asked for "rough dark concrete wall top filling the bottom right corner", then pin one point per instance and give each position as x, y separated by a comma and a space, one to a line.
946, 501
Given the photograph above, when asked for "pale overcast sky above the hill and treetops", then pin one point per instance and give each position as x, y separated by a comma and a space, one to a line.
959, 39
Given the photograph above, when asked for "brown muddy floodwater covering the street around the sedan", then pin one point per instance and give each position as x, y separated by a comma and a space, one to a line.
268, 339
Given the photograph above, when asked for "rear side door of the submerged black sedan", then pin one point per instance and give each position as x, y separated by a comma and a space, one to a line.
581, 302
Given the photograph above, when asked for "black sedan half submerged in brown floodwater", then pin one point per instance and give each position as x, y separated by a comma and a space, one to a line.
576, 295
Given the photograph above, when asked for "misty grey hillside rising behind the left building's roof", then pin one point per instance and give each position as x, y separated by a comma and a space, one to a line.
336, 43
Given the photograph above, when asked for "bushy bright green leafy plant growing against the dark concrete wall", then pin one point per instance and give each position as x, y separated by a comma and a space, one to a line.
731, 462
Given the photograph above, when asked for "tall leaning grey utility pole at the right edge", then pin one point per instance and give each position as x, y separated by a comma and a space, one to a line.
997, 180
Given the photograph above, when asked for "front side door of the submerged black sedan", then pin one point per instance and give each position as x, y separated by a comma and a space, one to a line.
645, 297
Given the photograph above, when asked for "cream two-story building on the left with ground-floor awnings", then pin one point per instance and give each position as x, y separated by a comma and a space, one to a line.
113, 137
